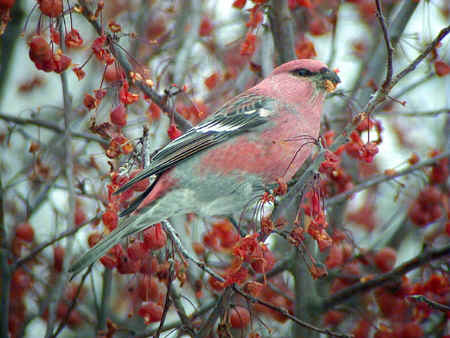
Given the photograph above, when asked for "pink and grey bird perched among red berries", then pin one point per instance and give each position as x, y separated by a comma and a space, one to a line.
219, 166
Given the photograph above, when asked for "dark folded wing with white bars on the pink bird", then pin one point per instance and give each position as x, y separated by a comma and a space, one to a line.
243, 113
